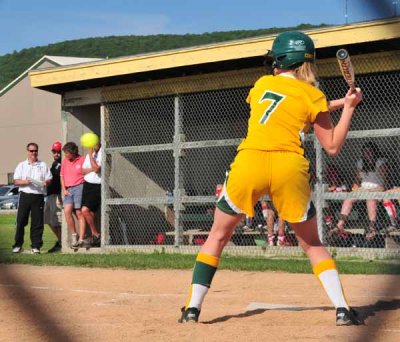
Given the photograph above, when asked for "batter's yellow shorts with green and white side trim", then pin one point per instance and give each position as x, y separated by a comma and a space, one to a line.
283, 176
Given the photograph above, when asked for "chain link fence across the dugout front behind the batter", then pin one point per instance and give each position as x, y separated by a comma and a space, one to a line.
168, 144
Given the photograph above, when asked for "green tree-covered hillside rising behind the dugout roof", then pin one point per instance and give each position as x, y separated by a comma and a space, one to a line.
13, 64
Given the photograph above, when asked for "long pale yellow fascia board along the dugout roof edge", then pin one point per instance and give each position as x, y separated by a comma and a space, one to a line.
332, 36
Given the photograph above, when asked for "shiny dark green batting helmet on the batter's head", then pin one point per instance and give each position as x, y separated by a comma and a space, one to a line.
291, 49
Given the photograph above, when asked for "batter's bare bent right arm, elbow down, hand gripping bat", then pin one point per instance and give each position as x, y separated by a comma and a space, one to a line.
333, 137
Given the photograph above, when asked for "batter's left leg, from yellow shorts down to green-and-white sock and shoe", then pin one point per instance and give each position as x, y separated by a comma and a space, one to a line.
239, 195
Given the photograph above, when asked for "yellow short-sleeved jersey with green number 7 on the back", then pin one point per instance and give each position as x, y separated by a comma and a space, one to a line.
282, 110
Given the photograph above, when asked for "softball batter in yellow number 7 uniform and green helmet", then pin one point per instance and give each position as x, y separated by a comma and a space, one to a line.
283, 108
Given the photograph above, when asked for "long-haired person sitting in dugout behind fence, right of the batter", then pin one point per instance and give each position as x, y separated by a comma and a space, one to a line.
371, 175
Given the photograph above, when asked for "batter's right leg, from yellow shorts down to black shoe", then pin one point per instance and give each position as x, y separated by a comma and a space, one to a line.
291, 194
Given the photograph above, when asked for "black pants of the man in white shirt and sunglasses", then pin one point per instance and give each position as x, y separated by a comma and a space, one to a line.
30, 204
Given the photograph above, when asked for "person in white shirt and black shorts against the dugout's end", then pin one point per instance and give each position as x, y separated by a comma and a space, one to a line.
91, 195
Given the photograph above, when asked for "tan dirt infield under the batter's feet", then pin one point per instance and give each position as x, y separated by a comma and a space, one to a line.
81, 304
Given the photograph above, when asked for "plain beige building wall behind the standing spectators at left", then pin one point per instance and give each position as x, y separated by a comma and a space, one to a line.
27, 115
